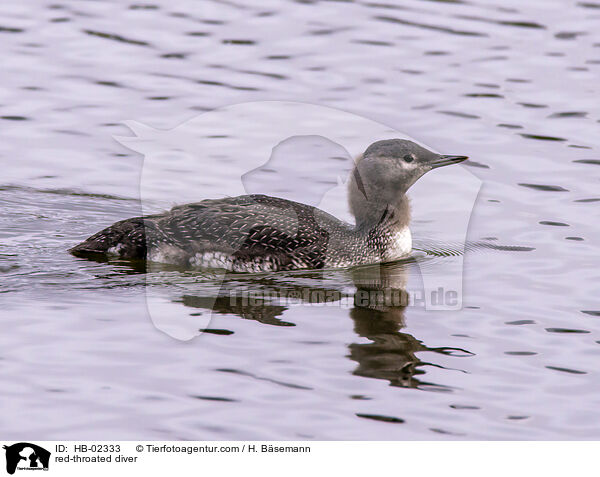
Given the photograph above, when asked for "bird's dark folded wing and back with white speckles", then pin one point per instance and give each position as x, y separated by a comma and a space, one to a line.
247, 227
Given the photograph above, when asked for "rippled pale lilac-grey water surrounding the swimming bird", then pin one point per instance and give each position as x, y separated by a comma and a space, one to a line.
513, 85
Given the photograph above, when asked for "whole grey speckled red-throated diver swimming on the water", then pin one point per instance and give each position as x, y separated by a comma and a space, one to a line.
261, 233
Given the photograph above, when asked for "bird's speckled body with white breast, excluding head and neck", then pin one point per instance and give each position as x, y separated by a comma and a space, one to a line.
249, 233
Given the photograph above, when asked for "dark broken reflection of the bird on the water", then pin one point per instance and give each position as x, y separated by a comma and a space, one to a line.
378, 310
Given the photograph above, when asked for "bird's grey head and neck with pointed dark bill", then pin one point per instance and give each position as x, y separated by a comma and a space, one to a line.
386, 171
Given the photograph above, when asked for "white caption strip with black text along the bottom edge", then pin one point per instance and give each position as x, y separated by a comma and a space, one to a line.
142, 458
